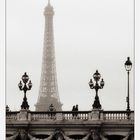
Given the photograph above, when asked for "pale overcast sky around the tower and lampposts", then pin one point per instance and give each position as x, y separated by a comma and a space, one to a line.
88, 35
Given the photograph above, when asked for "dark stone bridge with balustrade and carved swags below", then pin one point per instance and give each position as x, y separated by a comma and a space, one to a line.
70, 125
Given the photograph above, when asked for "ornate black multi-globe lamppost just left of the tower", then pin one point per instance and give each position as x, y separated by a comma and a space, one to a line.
27, 86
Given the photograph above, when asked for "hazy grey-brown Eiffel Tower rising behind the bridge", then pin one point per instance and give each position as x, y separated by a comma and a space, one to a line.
48, 92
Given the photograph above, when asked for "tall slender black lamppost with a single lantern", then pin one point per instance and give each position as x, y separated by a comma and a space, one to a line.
128, 67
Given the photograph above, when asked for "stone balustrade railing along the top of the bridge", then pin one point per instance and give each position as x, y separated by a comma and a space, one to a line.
70, 115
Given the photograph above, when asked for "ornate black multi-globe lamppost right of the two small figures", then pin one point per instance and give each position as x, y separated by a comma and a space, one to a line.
97, 86
